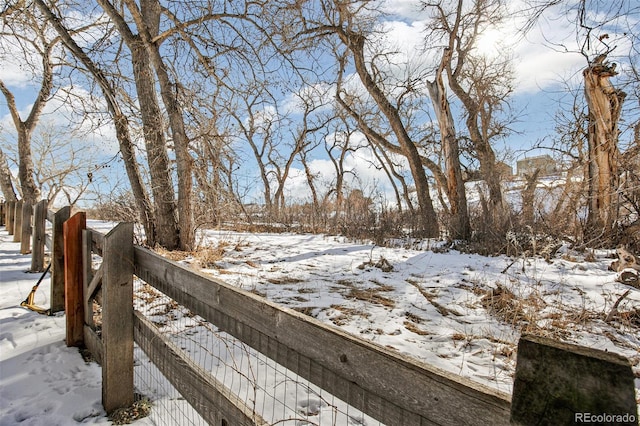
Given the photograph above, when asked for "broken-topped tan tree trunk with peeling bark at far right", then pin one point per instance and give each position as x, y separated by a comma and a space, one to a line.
605, 104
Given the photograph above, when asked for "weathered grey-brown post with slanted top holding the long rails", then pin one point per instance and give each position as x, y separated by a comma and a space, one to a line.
117, 318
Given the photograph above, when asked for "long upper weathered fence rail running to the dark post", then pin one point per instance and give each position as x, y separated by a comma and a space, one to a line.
414, 393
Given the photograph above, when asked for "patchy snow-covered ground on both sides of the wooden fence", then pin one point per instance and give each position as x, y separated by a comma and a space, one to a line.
460, 312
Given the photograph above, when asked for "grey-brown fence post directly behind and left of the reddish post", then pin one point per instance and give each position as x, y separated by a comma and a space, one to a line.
57, 259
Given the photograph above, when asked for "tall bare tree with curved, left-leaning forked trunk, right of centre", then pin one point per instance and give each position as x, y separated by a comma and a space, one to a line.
348, 23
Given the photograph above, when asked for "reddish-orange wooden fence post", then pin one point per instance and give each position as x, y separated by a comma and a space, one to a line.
73, 301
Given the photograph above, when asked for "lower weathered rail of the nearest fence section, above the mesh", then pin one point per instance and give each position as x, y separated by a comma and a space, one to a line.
210, 398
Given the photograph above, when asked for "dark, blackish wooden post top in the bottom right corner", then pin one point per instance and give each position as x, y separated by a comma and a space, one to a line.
559, 383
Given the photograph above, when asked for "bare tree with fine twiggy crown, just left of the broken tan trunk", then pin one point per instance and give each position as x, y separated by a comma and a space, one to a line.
481, 84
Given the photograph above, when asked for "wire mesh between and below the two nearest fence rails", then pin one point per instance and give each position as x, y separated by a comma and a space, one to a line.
274, 394
